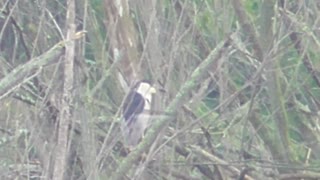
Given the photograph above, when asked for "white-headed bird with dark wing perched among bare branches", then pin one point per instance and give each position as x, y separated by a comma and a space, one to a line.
137, 112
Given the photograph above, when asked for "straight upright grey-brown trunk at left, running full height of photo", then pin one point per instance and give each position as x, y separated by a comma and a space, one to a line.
65, 116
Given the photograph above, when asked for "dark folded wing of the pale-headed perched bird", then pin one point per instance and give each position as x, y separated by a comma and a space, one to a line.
133, 105
